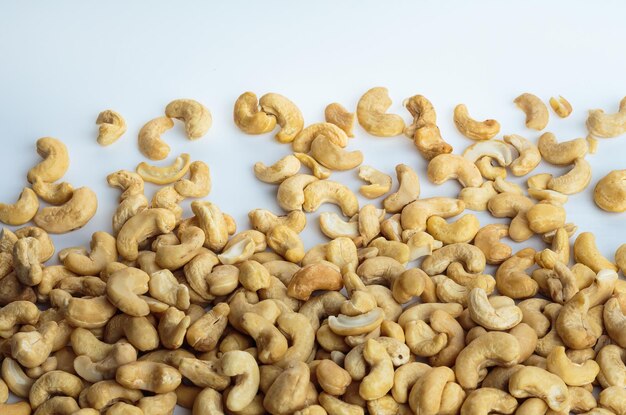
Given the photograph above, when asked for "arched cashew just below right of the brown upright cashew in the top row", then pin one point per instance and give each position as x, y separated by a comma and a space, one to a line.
450, 166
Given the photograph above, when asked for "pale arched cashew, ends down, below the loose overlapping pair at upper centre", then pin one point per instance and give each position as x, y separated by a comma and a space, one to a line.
327, 191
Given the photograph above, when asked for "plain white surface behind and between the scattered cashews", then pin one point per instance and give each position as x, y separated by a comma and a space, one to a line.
63, 62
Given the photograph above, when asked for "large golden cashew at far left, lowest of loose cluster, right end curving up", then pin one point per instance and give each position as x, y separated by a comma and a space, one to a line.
74, 214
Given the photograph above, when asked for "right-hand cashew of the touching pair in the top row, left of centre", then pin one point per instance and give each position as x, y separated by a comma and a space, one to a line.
287, 115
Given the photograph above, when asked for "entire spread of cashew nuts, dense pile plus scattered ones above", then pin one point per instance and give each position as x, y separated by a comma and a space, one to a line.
394, 314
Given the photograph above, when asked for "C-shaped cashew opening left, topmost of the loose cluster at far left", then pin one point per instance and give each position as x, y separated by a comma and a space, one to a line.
55, 161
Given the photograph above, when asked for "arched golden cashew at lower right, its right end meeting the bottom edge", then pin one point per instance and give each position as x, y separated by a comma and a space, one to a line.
532, 381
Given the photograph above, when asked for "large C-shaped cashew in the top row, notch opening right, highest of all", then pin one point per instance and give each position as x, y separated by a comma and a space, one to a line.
371, 113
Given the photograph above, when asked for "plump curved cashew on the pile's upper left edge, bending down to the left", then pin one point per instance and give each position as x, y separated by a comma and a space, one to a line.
145, 224
